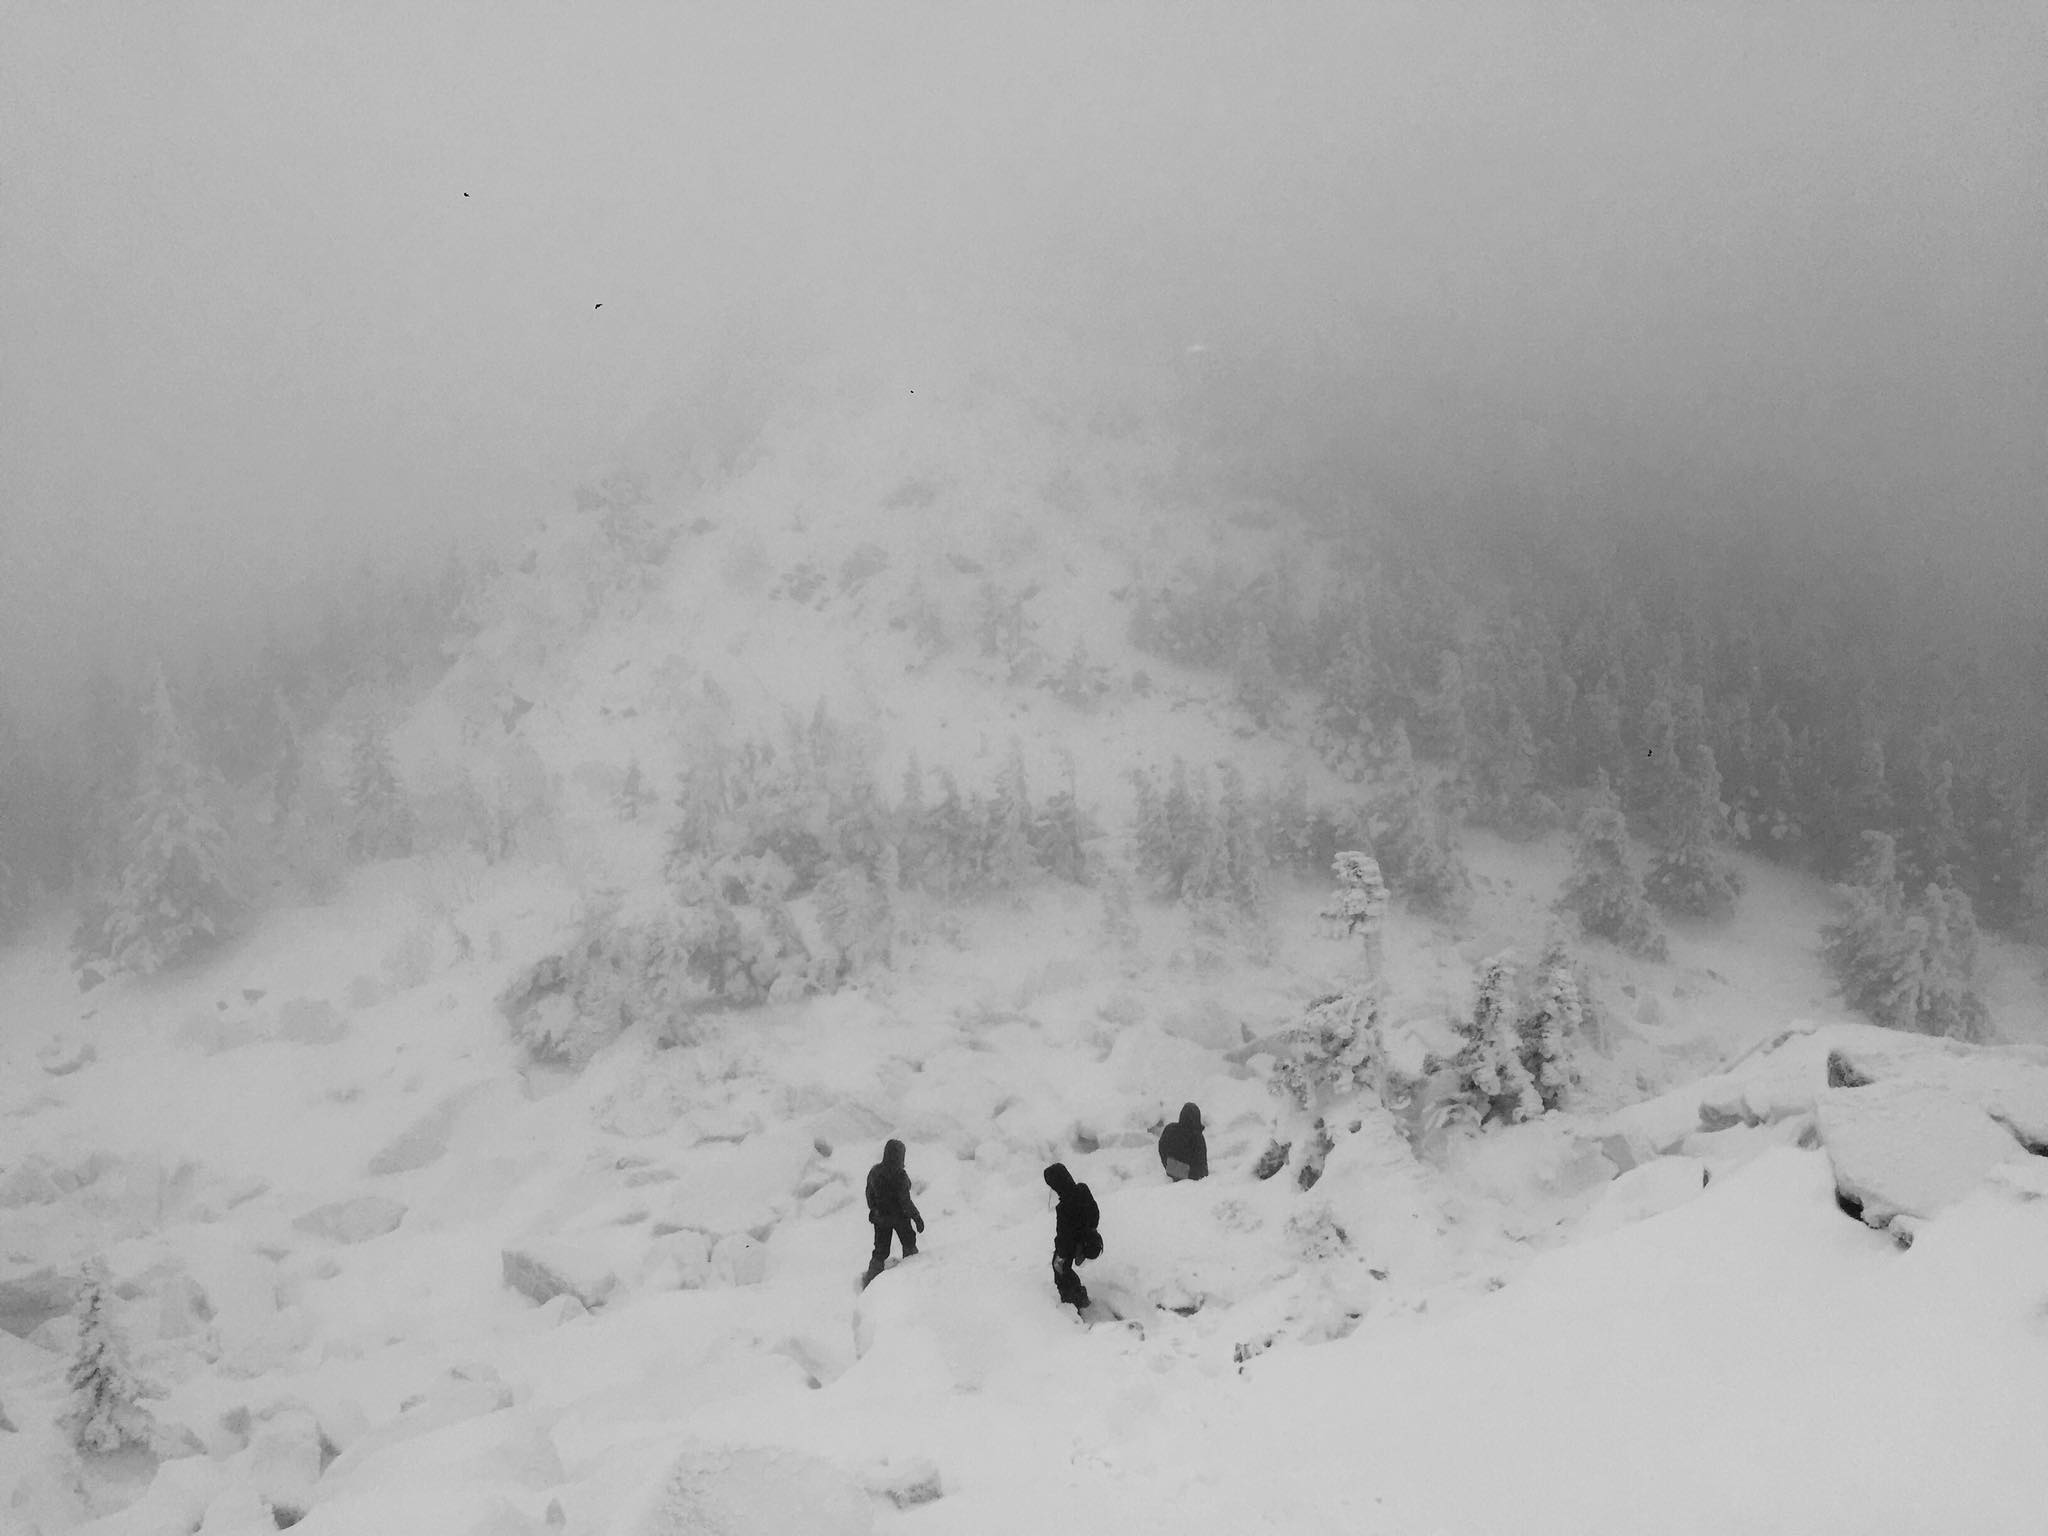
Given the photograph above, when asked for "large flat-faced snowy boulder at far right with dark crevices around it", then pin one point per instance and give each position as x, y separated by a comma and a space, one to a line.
1910, 1148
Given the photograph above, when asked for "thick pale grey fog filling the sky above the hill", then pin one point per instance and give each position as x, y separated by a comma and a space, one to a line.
282, 288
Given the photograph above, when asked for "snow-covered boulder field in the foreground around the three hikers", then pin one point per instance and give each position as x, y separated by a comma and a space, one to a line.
1506, 1345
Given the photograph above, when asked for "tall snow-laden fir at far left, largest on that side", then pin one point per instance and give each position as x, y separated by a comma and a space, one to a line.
179, 888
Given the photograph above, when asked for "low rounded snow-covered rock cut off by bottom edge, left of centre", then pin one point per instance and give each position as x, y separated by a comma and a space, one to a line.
753, 1492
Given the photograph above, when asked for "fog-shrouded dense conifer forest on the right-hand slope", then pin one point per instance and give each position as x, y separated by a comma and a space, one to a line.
1732, 695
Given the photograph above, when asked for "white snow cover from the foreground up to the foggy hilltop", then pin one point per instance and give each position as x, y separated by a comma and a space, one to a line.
318, 1166
